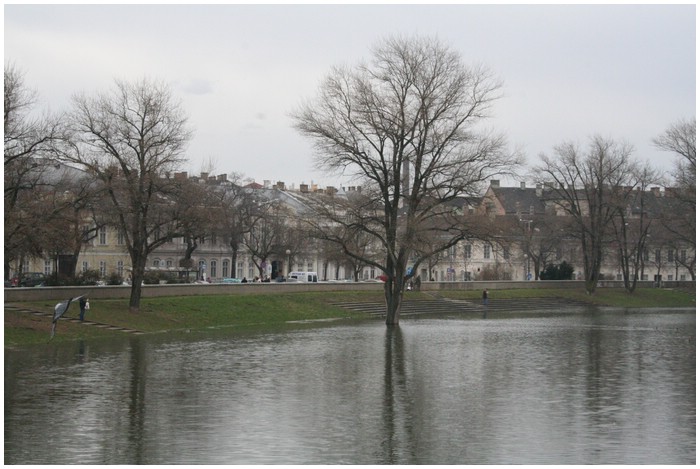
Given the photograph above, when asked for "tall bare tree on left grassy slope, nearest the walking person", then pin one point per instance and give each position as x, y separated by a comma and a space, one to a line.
131, 139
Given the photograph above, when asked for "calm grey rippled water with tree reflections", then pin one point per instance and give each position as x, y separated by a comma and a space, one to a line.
597, 387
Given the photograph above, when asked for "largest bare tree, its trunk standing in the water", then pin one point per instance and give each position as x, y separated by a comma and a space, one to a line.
406, 125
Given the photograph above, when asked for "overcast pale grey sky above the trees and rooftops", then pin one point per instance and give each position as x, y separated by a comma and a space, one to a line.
626, 71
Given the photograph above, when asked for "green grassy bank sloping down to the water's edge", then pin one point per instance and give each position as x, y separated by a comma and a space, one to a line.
249, 312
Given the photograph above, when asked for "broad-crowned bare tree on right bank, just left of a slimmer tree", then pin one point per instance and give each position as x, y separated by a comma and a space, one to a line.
588, 186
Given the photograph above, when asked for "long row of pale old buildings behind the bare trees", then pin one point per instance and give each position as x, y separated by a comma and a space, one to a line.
517, 252
